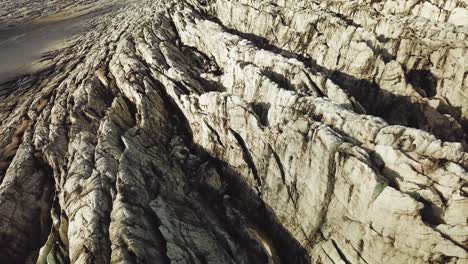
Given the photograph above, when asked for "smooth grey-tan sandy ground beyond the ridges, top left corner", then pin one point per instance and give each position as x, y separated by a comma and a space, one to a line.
23, 44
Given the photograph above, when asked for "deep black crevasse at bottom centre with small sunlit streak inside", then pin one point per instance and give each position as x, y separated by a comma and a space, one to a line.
244, 214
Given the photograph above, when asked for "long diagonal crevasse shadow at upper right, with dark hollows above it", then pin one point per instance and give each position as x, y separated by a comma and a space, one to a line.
395, 109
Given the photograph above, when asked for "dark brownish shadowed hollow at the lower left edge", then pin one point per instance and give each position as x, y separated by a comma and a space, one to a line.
28, 229
